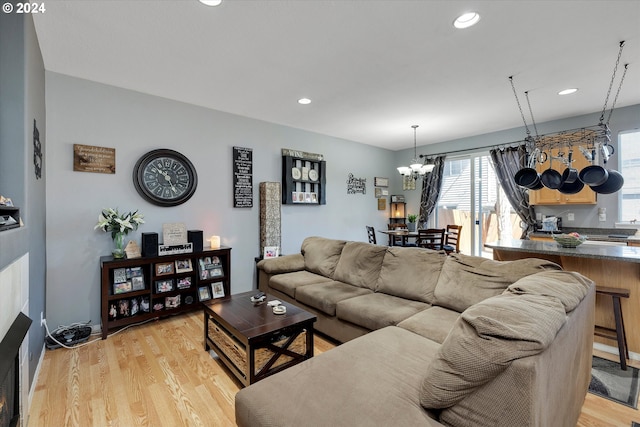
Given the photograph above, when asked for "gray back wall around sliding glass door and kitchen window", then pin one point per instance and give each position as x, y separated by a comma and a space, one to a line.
623, 119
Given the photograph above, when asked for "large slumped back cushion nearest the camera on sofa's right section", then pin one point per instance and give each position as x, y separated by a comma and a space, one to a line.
485, 340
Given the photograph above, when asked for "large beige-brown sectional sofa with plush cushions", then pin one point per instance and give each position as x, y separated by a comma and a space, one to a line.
429, 339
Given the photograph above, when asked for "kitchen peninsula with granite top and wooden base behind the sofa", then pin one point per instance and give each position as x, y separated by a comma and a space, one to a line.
610, 266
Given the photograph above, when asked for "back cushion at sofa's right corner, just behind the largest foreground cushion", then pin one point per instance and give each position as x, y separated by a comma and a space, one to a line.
569, 287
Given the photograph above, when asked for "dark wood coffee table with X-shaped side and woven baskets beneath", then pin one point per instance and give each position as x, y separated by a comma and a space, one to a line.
252, 341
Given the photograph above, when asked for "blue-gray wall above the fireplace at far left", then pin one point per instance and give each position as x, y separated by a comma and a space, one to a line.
22, 101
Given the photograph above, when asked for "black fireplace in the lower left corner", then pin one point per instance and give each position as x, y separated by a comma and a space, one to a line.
10, 371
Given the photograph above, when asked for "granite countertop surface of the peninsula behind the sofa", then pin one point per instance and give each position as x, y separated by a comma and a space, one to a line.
618, 253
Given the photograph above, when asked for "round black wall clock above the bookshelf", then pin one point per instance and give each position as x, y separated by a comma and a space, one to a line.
165, 177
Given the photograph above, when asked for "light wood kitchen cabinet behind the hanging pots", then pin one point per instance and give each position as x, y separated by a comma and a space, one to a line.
547, 196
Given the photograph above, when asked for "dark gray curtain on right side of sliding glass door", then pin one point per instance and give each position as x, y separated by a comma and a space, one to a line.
506, 162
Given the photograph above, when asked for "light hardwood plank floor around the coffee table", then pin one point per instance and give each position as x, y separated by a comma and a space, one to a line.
158, 374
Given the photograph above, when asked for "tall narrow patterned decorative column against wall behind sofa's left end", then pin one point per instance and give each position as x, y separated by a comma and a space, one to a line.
270, 215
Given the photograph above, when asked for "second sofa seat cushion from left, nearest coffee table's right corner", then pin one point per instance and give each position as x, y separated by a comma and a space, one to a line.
324, 296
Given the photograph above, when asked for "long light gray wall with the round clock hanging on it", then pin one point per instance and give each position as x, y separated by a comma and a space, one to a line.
84, 112
